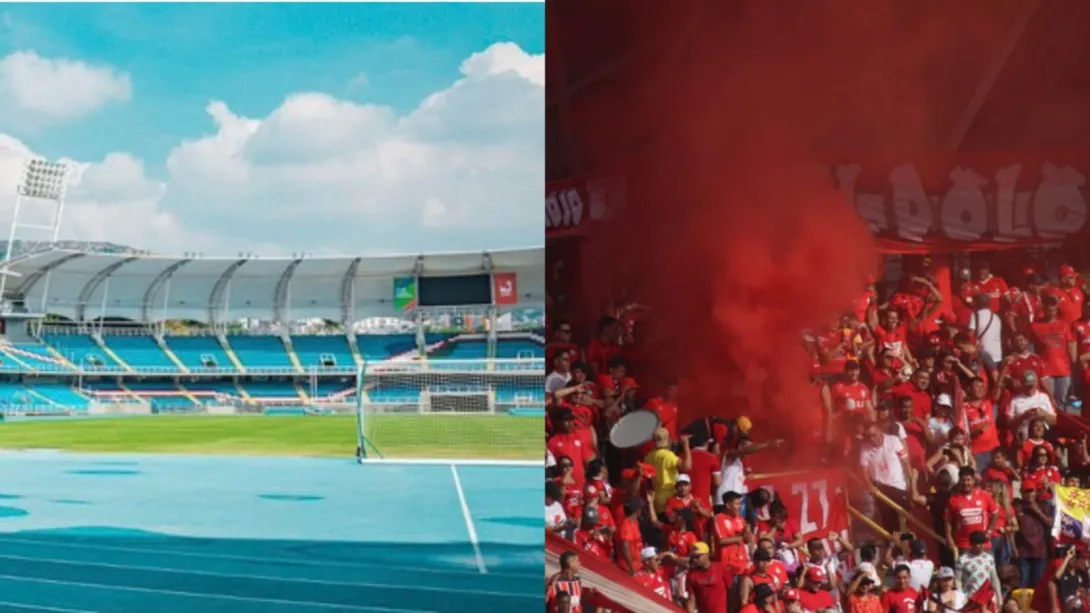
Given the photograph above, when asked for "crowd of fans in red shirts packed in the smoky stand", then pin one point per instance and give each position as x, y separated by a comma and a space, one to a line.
948, 412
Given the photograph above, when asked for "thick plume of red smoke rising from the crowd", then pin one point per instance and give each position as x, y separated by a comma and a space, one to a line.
734, 233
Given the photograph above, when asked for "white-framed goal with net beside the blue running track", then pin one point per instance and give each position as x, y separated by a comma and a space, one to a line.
452, 410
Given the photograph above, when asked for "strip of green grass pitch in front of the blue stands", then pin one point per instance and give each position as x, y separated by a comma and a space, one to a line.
395, 437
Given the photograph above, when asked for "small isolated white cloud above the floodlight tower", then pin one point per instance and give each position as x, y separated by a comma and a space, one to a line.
42, 91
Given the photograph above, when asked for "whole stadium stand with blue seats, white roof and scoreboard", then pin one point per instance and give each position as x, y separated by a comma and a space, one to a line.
135, 333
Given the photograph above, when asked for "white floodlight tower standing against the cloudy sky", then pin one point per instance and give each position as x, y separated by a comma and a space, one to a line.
44, 185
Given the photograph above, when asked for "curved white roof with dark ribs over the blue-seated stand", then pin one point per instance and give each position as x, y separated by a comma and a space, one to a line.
86, 286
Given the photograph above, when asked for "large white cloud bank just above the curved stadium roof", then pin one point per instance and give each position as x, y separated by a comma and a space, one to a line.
462, 172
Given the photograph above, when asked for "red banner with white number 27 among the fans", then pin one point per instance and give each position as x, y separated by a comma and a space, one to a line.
818, 500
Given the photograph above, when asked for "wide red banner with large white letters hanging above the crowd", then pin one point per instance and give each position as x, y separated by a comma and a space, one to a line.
968, 202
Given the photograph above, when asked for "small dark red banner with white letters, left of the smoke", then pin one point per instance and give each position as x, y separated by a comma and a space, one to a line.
573, 205
